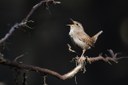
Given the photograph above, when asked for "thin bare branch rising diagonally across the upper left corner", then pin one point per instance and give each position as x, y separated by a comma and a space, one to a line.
25, 20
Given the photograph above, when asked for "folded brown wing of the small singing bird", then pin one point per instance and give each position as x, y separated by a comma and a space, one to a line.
85, 38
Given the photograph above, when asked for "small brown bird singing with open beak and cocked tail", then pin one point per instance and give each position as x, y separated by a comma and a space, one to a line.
81, 38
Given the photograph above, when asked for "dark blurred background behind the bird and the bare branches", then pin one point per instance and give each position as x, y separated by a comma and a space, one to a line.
45, 44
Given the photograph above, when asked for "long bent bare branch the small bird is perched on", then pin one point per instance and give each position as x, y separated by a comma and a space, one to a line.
80, 66
